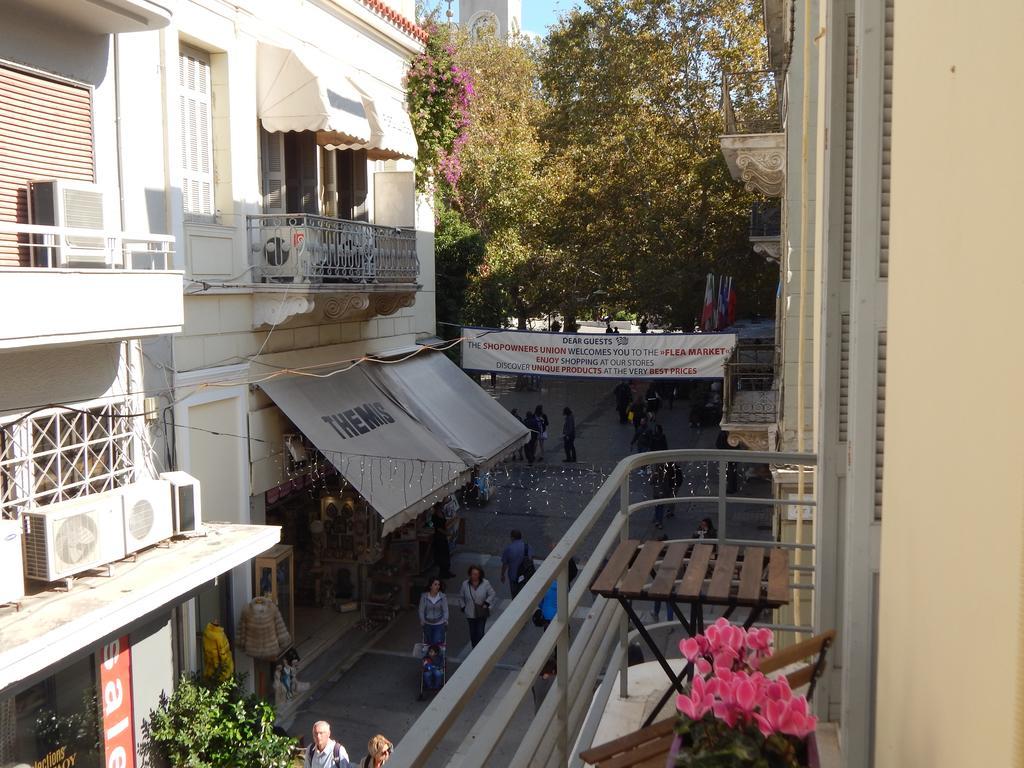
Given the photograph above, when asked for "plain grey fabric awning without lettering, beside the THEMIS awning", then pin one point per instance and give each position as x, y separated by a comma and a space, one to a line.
452, 406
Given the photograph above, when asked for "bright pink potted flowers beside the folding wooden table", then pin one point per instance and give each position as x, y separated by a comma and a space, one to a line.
733, 714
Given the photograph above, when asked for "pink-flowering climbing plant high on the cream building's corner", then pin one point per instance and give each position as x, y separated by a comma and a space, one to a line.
439, 93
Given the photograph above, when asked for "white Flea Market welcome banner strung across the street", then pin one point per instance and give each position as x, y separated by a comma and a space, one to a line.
598, 356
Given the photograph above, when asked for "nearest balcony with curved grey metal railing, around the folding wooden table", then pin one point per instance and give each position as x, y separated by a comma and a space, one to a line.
598, 686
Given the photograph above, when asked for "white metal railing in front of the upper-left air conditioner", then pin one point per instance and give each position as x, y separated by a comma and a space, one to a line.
69, 248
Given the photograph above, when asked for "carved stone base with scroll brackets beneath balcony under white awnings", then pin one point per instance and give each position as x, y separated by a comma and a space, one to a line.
277, 309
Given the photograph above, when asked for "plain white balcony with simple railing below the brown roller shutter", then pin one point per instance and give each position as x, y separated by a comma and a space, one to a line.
87, 286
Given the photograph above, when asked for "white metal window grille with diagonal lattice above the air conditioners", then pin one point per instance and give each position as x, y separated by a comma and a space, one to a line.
64, 456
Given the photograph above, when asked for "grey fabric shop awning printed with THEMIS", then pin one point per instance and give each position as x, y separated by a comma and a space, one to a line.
392, 459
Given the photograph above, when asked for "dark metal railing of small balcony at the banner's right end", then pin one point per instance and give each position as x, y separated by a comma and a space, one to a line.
751, 391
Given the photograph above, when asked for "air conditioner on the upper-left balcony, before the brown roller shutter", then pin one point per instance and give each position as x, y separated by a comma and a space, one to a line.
72, 205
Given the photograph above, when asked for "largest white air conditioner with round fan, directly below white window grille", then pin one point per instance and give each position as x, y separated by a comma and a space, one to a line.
66, 539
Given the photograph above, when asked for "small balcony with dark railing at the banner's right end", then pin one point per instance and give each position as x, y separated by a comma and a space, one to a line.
750, 408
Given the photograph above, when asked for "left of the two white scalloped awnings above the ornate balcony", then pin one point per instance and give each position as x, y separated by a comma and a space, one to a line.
294, 97
